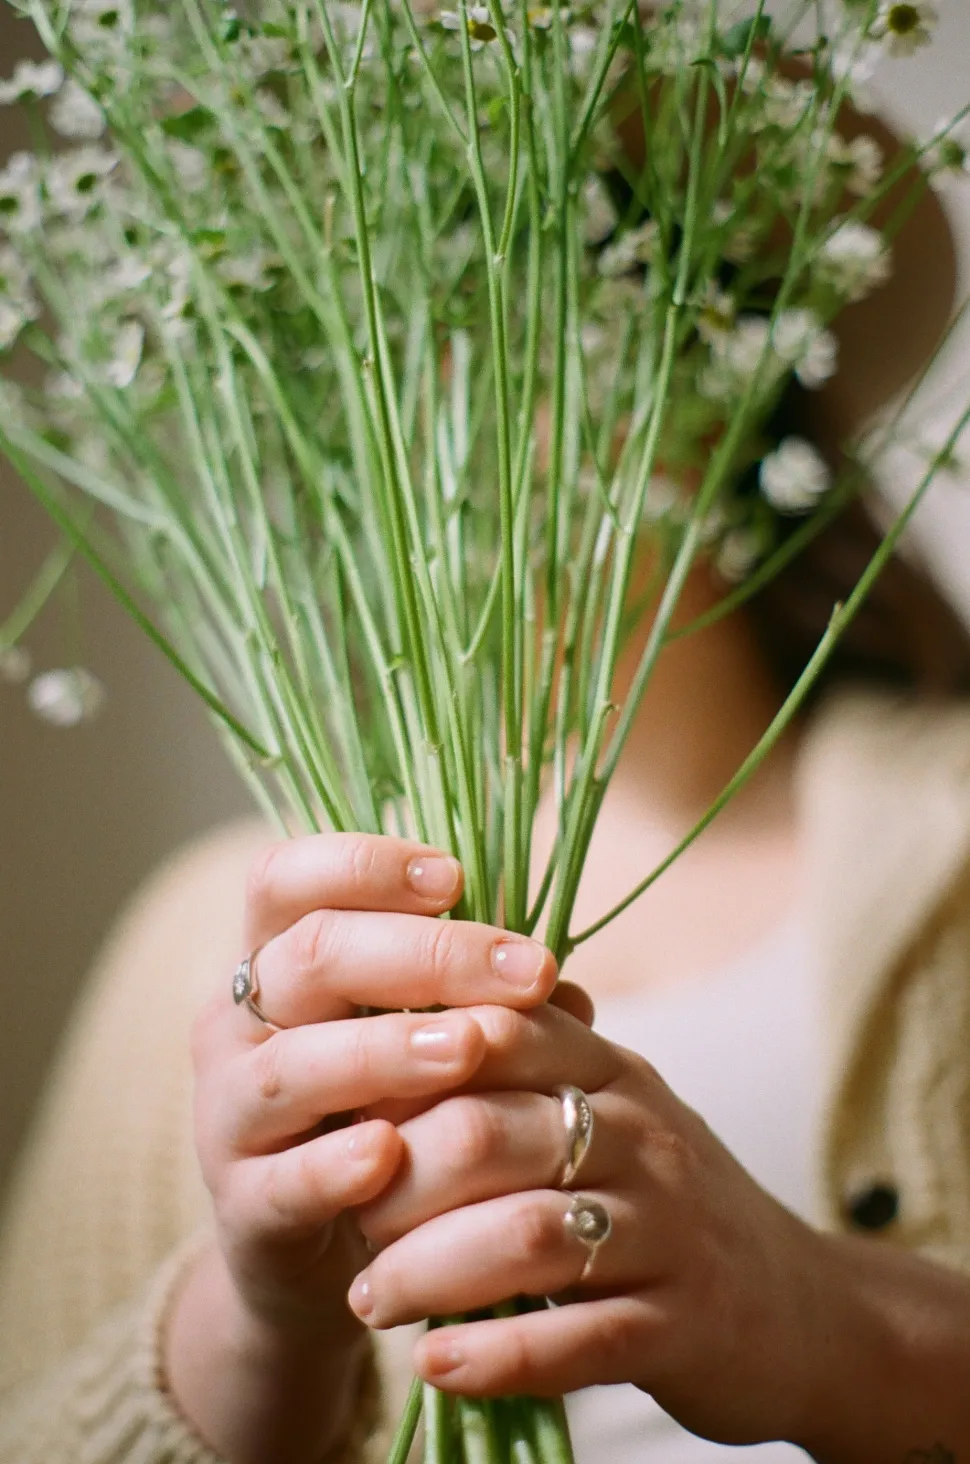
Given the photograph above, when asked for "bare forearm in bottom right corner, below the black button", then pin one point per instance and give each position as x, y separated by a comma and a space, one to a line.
895, 1384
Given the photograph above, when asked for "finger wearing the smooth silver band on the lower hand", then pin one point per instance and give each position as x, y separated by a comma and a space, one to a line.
466, 1150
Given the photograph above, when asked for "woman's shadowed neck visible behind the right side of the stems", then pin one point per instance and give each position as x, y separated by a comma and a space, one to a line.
710, 699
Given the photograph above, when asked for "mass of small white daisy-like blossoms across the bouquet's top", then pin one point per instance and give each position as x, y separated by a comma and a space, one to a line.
233, 198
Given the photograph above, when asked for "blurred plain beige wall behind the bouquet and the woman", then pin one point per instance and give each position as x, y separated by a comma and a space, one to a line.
86, 815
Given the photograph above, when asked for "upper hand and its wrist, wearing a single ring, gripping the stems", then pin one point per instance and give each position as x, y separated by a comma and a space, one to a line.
340, 923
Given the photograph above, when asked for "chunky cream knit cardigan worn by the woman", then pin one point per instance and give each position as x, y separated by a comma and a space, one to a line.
108, 1204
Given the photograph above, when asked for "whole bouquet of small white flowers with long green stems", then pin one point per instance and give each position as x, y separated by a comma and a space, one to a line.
384, 348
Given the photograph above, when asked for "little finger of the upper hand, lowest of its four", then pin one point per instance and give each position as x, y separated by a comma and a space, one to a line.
295, 1194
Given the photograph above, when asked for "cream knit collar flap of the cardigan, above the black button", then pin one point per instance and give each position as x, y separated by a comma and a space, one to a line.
884, 794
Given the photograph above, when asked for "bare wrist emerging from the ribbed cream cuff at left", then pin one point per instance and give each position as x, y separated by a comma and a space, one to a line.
260, 1393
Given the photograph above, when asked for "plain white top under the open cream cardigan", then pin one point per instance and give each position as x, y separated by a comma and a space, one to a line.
744, 1047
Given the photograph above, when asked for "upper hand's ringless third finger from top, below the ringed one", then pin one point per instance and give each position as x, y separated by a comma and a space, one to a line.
282, 1088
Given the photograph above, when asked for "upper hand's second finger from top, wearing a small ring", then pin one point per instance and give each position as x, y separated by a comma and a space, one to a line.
334, 961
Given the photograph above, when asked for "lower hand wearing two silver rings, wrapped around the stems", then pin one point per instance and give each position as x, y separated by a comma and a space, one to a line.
707, 1295
